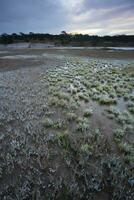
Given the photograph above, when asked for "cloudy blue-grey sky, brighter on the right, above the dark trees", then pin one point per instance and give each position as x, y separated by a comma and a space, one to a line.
93, 17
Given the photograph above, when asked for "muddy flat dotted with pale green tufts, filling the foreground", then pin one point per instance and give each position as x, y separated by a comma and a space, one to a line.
66, 124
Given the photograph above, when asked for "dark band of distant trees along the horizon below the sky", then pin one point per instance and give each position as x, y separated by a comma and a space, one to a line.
65, 39
